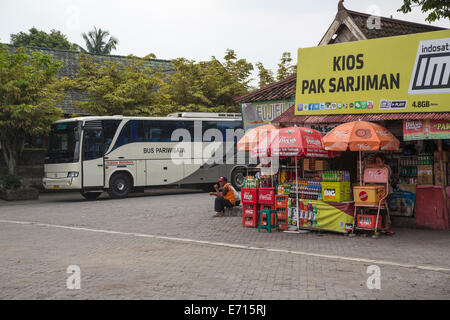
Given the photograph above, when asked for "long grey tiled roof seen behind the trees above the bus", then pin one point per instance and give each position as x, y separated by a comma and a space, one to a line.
69, 69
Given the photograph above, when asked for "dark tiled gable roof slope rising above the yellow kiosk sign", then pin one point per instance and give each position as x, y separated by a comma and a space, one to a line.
389, 27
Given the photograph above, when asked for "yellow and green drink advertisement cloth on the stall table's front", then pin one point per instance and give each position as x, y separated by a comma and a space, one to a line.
319, 215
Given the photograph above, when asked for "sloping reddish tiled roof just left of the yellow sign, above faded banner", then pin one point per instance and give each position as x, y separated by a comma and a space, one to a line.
281, 90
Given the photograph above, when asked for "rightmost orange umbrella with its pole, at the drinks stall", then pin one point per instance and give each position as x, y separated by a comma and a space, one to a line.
360, 136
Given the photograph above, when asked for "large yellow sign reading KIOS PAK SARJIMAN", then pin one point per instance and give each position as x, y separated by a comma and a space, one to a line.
388, 75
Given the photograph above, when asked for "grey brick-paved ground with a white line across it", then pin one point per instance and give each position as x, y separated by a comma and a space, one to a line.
166, 245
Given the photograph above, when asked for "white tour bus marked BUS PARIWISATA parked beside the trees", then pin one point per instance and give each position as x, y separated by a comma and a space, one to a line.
120, 154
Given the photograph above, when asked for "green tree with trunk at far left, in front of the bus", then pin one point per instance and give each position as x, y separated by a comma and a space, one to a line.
28, 92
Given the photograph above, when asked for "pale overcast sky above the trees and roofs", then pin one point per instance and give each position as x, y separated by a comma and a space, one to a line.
258, 30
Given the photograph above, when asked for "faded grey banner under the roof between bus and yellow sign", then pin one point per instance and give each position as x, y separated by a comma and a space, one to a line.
260, 113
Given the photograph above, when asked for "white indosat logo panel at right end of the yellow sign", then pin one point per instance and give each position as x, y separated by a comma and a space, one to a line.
431, 73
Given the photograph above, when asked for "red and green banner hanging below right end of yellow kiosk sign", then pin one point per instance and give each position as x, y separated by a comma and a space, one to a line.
426, 130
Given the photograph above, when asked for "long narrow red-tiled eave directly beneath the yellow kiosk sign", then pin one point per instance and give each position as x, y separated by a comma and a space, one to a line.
289, 117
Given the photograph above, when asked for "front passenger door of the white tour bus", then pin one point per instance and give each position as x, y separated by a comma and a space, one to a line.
93, 150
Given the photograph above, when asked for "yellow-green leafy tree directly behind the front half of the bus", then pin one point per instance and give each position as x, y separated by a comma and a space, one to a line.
127, 88
